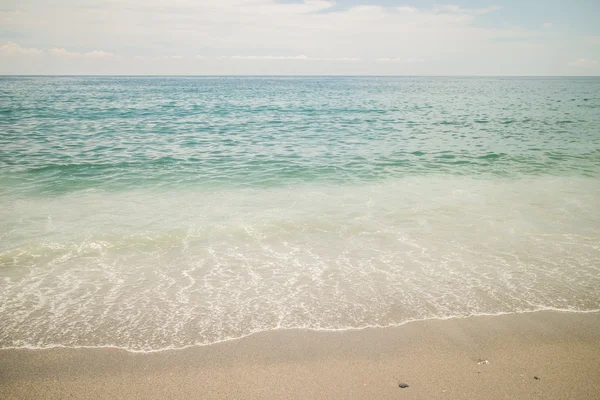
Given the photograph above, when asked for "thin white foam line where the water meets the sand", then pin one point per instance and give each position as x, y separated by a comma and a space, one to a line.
343, 329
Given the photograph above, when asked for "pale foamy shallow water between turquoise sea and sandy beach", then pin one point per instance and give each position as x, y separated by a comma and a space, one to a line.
145, 270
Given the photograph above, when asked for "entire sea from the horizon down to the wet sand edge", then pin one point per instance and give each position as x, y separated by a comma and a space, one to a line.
152, 213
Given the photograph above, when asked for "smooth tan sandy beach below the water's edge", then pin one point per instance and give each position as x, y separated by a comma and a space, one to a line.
437, 359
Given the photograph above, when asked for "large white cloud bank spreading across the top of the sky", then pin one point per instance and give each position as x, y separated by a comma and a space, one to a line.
231, 25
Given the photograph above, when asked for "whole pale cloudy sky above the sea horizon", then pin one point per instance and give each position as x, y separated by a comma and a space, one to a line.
300, 37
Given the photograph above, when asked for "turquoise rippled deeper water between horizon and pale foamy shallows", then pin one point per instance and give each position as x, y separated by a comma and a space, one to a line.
67, 134
